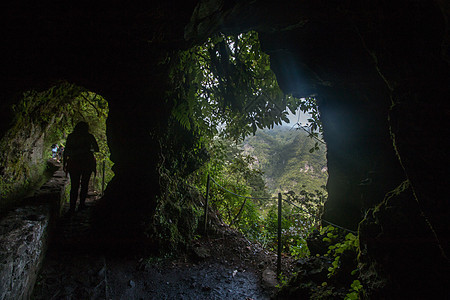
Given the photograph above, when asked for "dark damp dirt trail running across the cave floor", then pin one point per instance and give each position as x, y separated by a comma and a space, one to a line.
223, 266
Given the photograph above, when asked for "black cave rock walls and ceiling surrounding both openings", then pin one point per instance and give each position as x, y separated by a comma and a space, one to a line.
380, 70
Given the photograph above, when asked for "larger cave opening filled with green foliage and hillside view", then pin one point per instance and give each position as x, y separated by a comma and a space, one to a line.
228, 97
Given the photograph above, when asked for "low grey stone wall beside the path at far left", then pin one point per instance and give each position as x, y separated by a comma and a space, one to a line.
24, 236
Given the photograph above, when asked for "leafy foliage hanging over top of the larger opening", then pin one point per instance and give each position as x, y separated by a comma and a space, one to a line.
226, 86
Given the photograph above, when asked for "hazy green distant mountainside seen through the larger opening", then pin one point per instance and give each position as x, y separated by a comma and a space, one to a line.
284, 156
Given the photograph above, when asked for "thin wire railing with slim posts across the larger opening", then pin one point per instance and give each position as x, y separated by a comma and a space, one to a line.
280, 200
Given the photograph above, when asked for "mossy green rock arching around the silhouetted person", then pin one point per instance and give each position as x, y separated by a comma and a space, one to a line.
33, 145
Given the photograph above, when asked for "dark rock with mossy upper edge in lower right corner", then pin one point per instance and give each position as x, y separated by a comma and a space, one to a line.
404, 251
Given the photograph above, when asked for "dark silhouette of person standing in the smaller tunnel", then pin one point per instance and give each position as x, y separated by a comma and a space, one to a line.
79, 161
